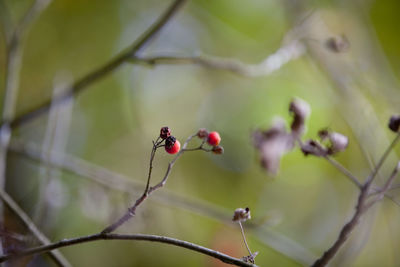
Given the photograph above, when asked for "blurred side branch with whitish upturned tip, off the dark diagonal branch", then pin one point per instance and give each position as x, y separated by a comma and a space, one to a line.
270, 64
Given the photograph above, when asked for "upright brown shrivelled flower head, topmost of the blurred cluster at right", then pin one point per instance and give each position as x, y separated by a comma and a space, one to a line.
300, 110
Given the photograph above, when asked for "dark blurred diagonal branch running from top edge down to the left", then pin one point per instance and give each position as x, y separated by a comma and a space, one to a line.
104, 70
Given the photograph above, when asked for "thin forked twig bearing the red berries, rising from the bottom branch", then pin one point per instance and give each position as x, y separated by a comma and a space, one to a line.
148, 190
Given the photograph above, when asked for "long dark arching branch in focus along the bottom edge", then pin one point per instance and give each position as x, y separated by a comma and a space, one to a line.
139, 237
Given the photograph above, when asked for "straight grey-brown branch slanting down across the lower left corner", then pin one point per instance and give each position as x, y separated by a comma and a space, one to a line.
54, 254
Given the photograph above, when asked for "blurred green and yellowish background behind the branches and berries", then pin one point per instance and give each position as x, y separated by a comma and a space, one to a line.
296, 214
